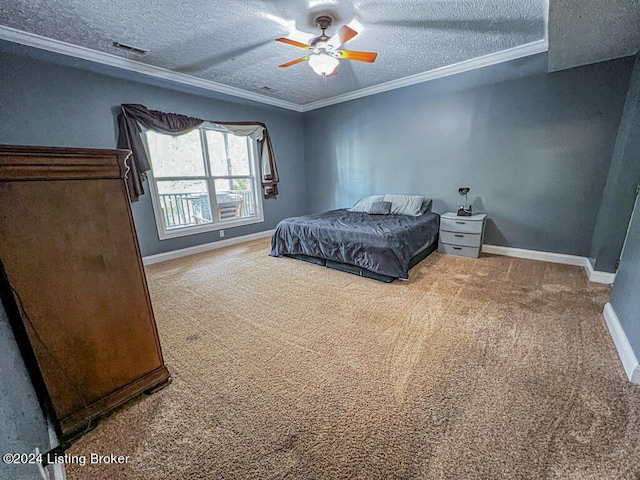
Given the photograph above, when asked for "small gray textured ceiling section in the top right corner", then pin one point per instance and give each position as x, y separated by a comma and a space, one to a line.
587, 31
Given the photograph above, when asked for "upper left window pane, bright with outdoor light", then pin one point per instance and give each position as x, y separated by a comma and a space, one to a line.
179, 156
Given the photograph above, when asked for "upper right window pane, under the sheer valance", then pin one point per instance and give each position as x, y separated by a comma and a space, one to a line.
231, 159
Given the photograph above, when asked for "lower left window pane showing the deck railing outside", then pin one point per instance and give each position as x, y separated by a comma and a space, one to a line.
184, 203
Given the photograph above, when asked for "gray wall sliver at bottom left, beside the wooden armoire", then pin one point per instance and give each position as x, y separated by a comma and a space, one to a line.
22, 423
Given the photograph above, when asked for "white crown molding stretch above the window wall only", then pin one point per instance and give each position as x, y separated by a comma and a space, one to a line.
64, 48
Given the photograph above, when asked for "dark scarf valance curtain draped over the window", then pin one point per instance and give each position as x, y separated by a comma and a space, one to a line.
133, 118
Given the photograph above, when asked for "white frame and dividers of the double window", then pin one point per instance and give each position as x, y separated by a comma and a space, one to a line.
254, 176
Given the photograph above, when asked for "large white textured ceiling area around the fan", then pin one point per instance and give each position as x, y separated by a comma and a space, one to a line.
232, 43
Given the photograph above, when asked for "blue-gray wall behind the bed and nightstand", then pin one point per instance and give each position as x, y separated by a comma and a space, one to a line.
534, 147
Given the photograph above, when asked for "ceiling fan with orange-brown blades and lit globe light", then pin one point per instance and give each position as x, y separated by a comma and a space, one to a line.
325, 53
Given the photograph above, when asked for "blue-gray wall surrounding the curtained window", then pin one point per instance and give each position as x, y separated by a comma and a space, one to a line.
74, 103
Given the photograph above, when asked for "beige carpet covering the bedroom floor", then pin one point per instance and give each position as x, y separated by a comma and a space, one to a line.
473, 369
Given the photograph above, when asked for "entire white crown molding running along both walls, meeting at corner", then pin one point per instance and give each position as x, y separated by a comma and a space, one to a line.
64, 48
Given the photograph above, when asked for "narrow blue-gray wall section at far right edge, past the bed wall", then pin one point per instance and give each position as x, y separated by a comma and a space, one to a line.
619, 193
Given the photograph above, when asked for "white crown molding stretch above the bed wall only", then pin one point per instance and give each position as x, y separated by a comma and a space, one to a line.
486, 60
